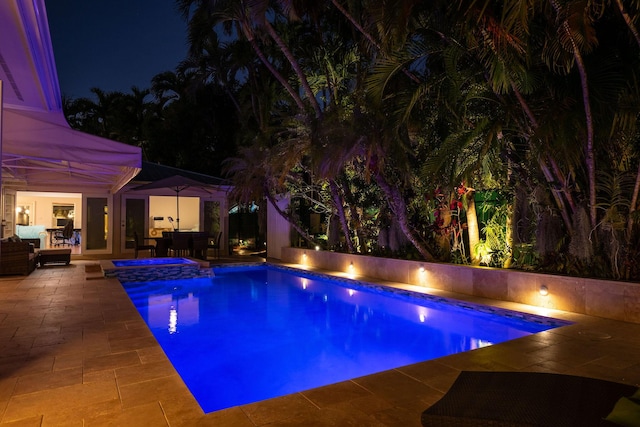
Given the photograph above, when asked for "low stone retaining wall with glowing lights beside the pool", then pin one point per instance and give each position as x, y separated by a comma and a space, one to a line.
602, 298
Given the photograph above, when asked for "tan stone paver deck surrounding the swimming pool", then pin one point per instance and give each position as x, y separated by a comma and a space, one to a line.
75, 352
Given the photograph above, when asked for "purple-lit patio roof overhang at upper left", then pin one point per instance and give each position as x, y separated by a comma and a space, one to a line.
40, 151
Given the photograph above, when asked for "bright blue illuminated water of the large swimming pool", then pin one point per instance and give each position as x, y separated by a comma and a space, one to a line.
255, 333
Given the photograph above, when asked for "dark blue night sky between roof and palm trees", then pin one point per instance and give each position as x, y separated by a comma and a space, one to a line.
114, 44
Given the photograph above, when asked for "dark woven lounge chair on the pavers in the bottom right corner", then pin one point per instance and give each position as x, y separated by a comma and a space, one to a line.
526, 399
